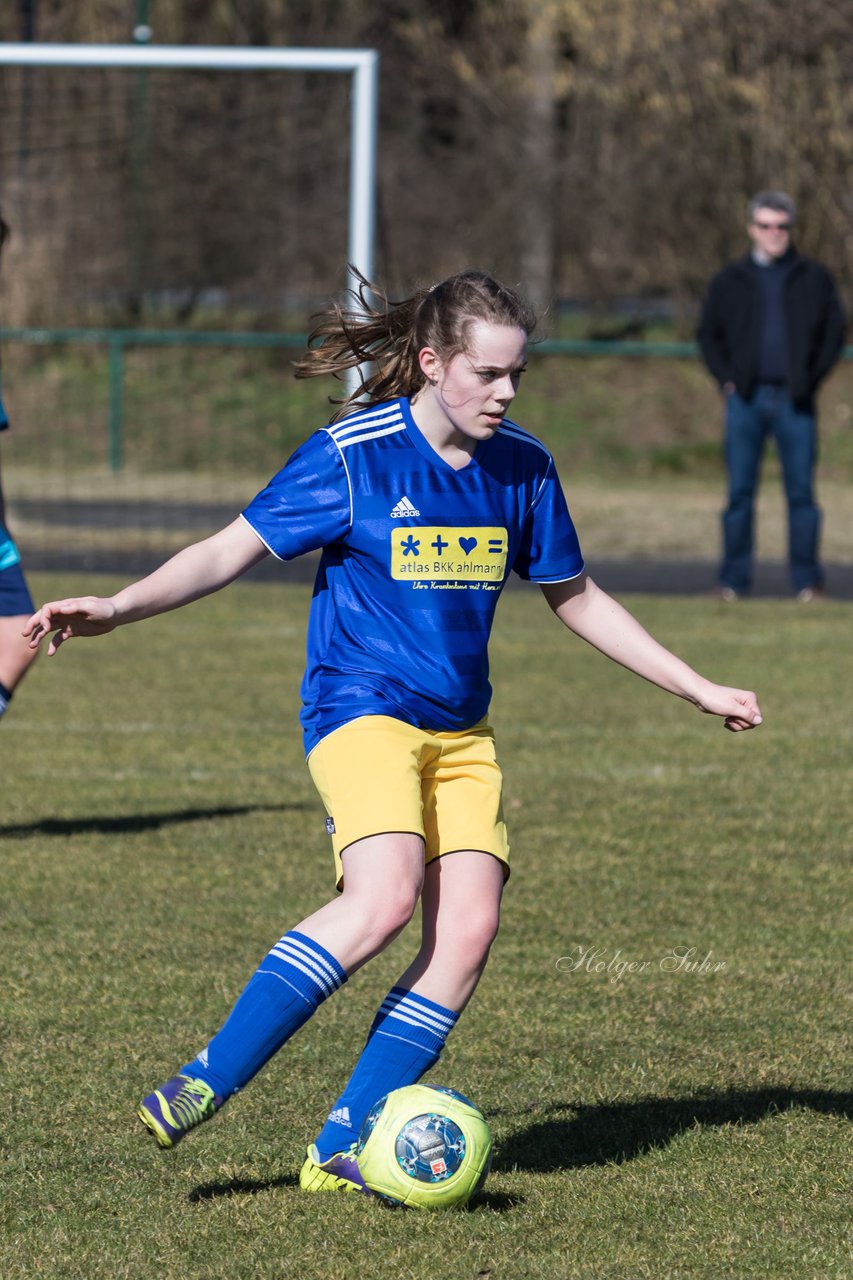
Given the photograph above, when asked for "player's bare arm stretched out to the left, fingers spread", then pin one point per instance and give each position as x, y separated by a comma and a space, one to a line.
197, 572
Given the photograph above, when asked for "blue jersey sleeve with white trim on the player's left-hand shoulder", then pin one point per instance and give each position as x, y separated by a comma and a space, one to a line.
308, 505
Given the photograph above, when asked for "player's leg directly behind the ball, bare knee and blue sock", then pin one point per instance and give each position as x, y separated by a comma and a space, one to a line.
462, 906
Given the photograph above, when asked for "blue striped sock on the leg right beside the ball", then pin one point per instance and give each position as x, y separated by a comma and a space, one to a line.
405, 1040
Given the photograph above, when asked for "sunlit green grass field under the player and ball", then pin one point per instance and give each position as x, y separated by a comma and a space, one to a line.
161, 831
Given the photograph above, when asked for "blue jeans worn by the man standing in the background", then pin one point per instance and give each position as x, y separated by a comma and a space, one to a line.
749, 424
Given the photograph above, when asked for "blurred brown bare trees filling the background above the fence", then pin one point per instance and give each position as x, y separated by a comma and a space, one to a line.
590, 150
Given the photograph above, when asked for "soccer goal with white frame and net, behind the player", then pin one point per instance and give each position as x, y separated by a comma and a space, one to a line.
171, 227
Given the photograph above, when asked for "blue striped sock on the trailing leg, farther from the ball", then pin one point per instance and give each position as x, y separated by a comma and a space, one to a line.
281, 996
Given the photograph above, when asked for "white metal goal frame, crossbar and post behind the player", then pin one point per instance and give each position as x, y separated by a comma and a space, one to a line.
361, 63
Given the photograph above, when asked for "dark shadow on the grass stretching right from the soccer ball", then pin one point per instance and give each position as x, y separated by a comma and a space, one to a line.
615, 1132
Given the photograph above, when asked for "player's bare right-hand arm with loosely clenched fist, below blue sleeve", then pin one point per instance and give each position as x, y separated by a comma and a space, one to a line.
600, 620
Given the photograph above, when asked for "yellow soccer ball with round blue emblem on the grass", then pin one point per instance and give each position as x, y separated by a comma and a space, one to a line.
426, 1148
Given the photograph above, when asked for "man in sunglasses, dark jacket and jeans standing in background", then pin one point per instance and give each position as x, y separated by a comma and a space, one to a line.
772, 330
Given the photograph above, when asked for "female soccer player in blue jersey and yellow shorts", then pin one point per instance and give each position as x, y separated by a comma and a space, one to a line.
423, 496
